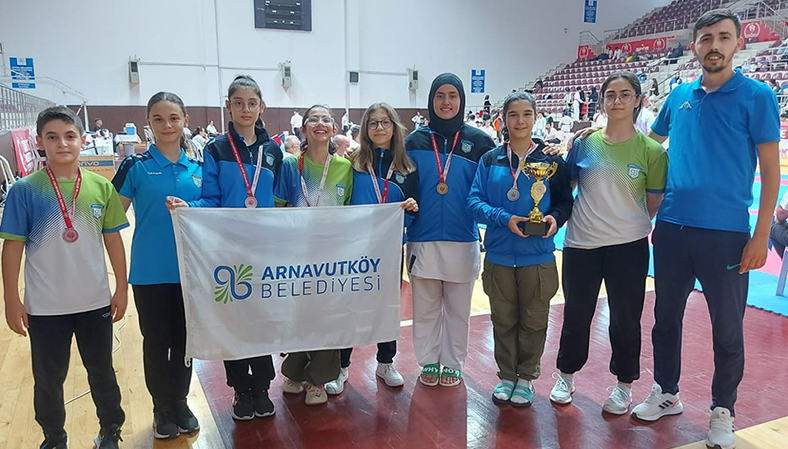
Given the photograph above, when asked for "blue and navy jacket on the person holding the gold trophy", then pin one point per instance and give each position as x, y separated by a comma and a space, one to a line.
489, 205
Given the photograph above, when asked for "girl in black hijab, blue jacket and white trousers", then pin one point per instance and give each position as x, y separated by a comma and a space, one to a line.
443, 249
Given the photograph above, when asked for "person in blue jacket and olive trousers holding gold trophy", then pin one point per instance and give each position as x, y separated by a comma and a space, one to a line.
520, 274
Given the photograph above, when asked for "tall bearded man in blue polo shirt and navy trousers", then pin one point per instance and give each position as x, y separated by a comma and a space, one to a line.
719, 126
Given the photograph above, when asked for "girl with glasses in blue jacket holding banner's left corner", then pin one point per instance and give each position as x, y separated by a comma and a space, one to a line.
225, 184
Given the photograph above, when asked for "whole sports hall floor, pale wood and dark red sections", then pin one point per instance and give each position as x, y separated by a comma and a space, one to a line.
370, 415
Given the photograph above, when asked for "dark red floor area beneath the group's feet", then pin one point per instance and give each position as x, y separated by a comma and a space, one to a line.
370, 415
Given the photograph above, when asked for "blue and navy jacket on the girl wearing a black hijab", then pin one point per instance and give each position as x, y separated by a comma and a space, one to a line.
445, 217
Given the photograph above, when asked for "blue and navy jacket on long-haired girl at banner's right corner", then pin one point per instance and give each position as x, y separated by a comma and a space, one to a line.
401, 186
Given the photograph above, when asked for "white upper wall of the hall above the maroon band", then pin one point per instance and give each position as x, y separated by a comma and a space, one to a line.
86, 45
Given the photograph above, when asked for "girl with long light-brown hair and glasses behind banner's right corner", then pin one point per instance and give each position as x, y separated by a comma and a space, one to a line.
382, 173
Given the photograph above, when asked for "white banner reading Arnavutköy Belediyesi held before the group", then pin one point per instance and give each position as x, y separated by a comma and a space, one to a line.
265, 281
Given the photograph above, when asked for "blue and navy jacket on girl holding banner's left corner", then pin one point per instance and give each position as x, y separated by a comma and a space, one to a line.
222, 181
